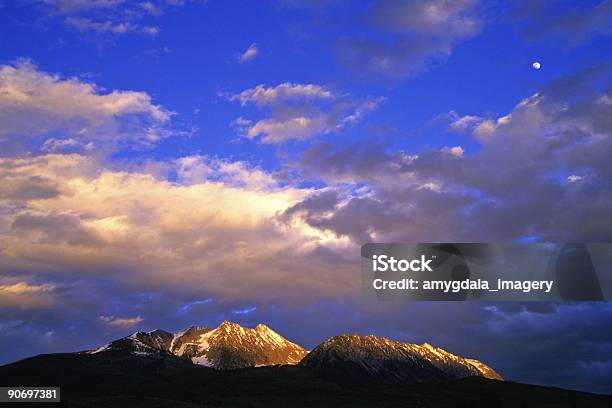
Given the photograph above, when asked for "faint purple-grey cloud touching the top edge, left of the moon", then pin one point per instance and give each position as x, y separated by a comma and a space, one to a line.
416, 34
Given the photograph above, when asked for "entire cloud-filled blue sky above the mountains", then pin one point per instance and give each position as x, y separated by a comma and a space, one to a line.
176, 162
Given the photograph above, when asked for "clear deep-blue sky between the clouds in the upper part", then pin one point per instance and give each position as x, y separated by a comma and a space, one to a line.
193, 58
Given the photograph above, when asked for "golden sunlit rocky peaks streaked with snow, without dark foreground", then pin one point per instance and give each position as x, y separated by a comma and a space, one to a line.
231, 346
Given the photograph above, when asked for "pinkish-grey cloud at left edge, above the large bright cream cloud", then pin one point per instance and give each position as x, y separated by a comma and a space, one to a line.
37, 106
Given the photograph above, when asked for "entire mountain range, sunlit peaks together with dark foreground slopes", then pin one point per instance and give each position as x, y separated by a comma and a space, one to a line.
234, 366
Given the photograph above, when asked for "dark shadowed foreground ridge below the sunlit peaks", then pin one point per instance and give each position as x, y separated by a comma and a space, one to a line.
124, 380
